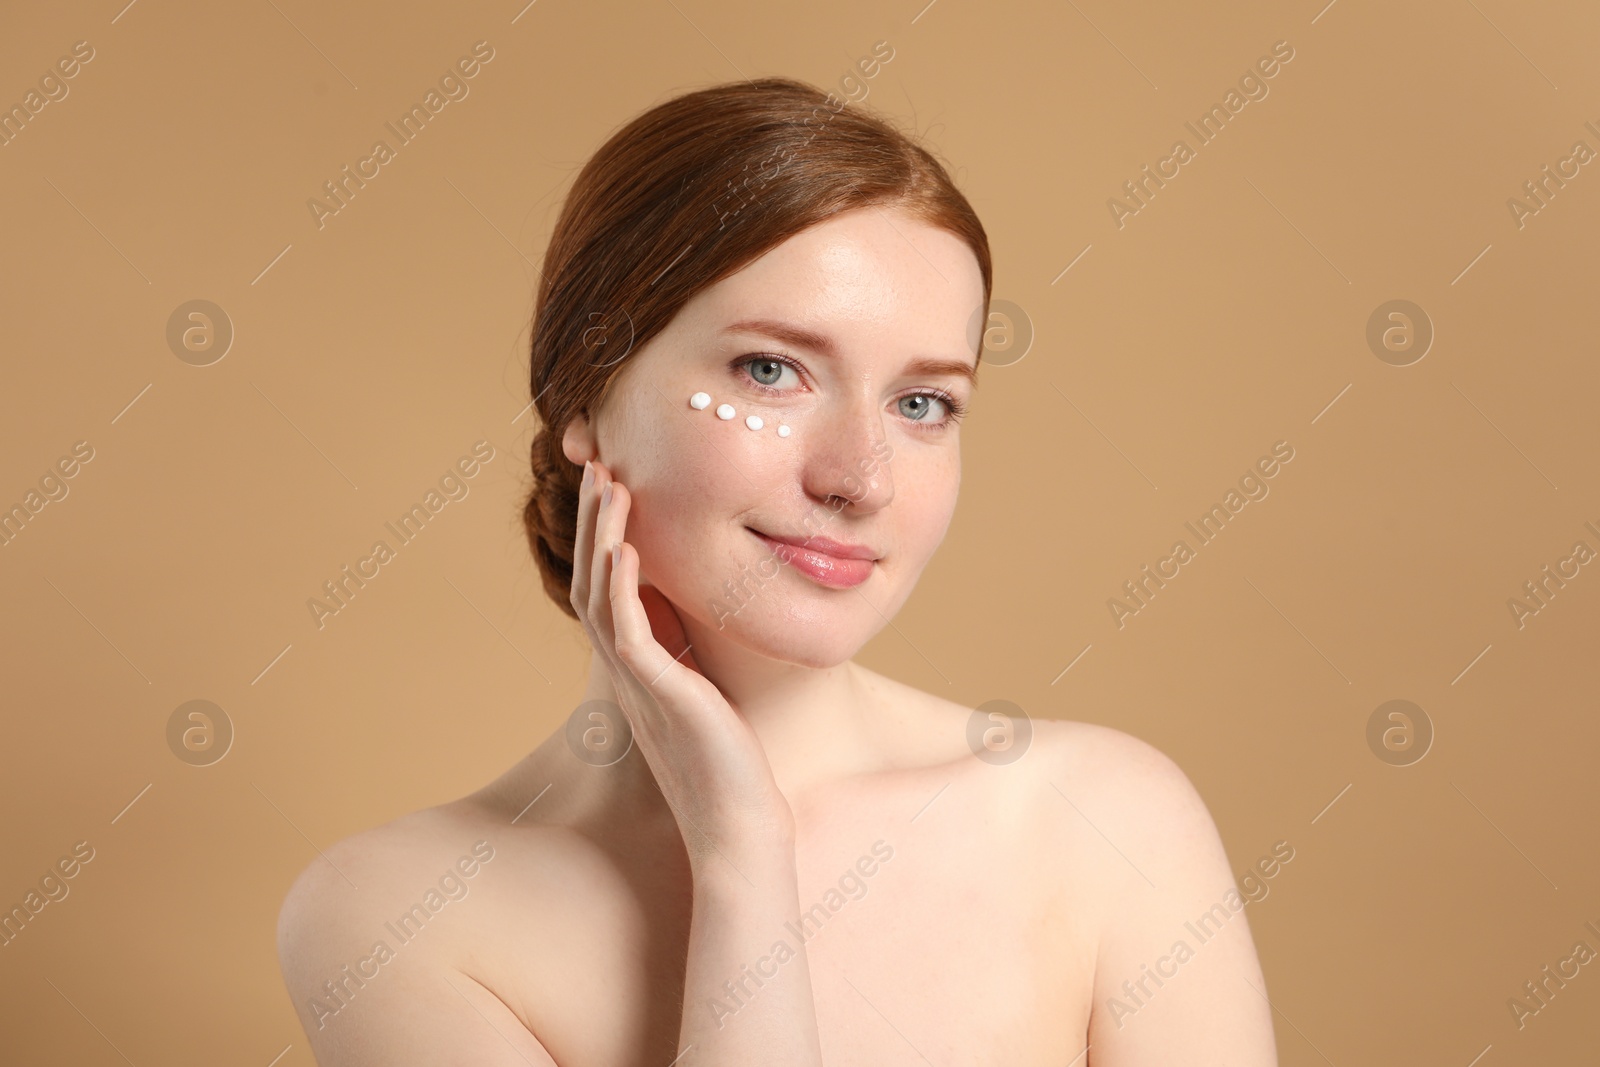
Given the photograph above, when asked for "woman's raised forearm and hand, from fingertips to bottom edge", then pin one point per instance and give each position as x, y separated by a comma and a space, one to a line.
713, 772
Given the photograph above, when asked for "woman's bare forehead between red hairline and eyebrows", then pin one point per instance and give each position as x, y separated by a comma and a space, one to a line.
858, 274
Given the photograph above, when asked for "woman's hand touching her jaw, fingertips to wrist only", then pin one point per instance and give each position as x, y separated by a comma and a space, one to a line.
706, 759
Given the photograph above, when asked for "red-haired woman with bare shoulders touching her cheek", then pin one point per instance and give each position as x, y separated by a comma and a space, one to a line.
754, 338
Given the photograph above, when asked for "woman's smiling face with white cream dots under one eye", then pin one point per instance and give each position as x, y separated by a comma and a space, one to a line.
846, 334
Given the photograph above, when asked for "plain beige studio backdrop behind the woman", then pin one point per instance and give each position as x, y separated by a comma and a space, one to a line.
1230, 314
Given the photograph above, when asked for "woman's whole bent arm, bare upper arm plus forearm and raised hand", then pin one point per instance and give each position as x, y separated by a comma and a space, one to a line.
746, 985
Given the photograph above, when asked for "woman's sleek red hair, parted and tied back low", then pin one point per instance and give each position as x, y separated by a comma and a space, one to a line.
681, 198
